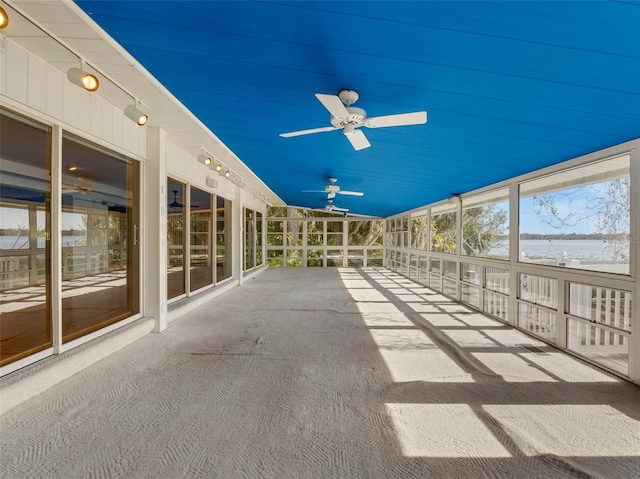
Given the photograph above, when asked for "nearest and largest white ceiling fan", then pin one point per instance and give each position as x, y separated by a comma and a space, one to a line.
349, 118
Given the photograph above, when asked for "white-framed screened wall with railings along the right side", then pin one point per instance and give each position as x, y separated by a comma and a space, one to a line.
549, 254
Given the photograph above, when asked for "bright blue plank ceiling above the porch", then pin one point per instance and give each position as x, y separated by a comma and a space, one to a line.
509, 87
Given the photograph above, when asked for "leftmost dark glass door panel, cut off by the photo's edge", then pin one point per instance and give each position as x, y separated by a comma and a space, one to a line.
25, 253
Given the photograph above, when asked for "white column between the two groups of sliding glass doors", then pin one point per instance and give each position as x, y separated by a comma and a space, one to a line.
153, 232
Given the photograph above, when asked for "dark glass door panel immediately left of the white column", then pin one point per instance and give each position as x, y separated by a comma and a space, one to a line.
98, 187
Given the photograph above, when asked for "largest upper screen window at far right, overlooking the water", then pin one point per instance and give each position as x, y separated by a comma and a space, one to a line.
578, 218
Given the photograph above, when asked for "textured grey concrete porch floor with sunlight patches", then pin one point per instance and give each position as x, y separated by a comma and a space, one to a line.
313, 373
